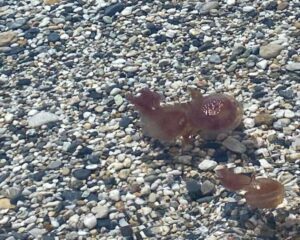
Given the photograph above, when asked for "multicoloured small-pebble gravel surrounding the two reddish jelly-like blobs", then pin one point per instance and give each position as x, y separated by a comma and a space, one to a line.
74, 161
